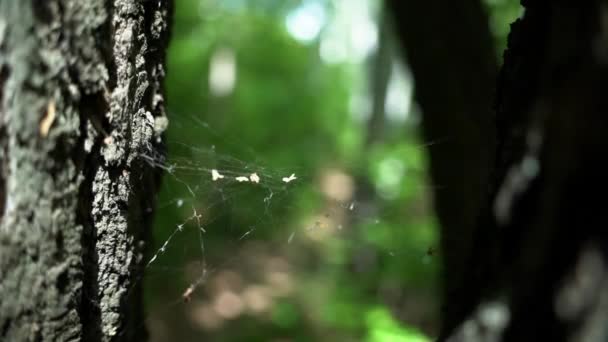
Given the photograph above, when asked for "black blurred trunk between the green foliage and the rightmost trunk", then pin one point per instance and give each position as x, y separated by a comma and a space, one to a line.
450, 52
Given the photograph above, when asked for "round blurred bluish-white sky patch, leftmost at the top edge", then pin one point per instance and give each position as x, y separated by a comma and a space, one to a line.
306, 21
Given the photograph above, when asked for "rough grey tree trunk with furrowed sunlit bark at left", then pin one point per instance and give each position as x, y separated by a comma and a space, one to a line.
81, 100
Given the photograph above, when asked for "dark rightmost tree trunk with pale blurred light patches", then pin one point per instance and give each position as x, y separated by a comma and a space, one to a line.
538, 267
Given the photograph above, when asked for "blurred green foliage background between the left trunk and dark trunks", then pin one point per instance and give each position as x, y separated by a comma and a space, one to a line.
288, 113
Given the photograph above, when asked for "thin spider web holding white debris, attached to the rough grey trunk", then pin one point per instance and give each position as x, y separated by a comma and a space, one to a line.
205, 186
